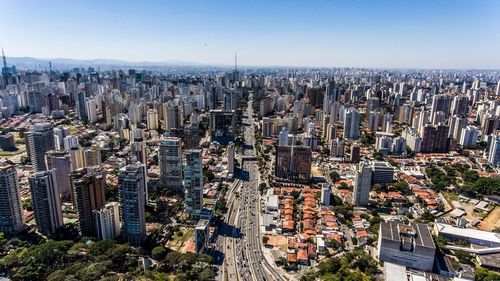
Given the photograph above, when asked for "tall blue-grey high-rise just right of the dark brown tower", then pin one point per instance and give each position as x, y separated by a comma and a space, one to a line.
131, 181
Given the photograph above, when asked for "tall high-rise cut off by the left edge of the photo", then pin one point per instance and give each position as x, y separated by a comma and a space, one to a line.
11, 212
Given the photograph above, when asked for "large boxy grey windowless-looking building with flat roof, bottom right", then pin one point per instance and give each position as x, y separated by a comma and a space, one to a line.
410, 245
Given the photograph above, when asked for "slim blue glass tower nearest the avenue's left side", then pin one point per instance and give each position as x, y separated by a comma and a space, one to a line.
193, 182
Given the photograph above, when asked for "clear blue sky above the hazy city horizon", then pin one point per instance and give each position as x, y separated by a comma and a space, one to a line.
371, 33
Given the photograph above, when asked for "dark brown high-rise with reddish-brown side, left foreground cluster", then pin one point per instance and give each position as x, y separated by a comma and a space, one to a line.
89, 191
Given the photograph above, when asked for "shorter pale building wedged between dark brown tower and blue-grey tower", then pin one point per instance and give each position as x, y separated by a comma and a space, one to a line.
107, 221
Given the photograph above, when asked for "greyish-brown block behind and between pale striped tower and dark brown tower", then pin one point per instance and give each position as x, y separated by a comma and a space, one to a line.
60, 161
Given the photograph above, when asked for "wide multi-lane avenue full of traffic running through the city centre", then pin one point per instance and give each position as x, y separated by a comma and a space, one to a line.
243, 257
